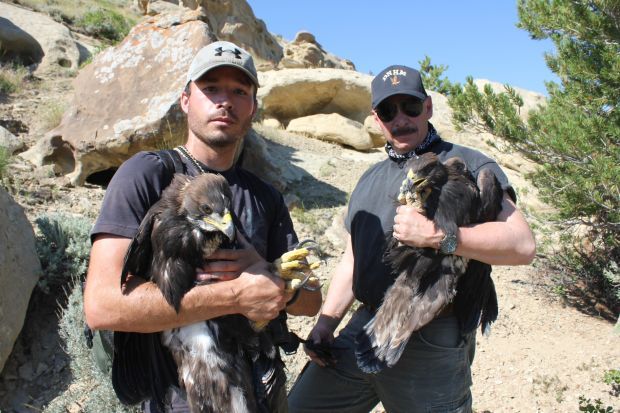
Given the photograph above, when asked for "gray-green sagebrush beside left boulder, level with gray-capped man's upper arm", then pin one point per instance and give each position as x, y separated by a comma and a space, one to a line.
63, 247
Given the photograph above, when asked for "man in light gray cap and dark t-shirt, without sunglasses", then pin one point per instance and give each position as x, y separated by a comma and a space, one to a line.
219, 101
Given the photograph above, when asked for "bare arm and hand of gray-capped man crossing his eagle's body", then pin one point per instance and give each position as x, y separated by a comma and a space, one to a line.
141, 307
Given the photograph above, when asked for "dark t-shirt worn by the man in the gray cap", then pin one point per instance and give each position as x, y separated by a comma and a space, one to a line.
257, 206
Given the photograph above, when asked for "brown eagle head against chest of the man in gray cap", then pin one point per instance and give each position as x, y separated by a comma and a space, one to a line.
206, 202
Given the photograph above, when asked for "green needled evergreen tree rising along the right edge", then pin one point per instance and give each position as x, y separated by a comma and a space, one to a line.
575, 137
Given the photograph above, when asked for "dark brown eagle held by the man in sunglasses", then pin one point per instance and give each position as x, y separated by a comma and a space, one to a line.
427, 279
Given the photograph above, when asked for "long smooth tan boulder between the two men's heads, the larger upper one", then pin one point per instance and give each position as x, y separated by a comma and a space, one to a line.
294, 93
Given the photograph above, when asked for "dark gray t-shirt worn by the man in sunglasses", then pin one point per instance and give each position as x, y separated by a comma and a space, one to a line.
371, 212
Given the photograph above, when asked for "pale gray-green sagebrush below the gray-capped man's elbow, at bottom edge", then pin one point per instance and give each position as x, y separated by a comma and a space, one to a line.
91, 390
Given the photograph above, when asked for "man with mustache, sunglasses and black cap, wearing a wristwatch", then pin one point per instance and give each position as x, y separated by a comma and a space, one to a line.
433, 373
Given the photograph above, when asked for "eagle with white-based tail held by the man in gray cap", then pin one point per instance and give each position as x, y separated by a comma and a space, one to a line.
223, 364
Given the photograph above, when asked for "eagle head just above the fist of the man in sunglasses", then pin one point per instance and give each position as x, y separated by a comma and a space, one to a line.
426, 176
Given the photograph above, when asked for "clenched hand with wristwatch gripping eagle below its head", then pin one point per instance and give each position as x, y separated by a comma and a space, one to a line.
414, 229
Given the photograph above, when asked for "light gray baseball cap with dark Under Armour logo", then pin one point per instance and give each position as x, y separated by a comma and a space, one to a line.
219, 54
